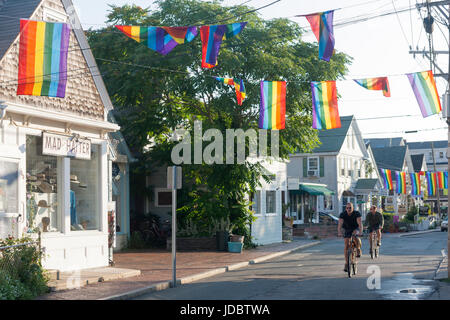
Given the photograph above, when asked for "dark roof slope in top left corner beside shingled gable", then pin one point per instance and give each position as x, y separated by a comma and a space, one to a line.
10, 11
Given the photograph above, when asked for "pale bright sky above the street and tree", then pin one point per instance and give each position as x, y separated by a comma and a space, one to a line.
379, 47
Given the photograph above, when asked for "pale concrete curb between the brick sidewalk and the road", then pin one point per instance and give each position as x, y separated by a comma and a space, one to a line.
167, 284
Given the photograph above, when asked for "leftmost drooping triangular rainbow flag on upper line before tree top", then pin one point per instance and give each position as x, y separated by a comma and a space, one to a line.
160, 39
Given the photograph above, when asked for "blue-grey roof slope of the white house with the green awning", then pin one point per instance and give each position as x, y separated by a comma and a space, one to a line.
332, 139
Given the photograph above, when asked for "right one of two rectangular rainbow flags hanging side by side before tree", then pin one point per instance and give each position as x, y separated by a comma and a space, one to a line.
324, 105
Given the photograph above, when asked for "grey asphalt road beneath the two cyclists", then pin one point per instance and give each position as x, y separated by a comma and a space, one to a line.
404, 270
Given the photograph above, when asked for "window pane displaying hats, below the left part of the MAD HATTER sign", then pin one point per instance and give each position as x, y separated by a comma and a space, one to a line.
42, 188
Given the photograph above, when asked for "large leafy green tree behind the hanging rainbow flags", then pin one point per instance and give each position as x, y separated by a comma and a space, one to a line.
150, 101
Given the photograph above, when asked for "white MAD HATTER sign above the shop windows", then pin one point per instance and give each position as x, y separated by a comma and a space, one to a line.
66, 146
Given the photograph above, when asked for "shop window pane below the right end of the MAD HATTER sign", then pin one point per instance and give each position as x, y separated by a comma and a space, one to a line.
85, 192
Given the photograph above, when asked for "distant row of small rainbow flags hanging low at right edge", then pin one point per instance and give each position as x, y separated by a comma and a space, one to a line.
434, 181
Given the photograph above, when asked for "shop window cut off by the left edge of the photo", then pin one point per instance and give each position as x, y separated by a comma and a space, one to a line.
8, 187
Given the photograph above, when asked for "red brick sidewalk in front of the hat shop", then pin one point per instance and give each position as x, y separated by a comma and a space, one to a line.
156, 267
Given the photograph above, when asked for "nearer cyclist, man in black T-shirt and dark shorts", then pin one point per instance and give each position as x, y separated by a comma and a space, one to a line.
350, 220
